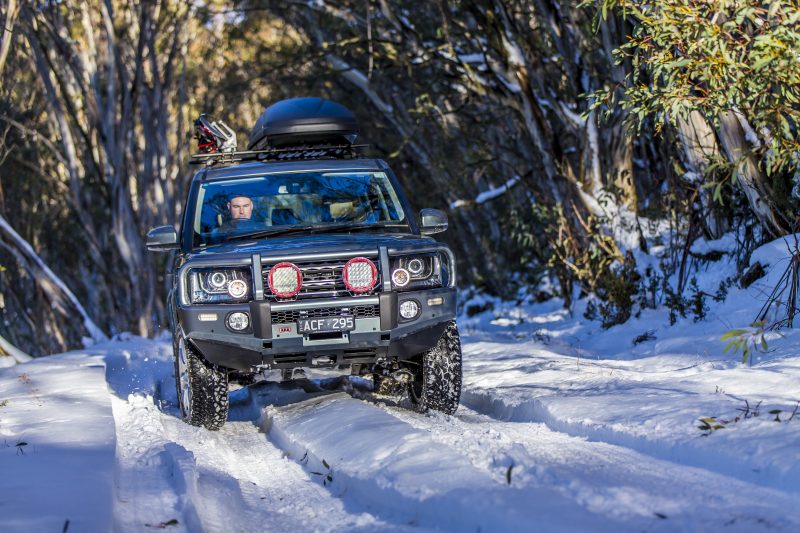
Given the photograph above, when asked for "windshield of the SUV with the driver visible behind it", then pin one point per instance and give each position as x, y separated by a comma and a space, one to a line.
281, 203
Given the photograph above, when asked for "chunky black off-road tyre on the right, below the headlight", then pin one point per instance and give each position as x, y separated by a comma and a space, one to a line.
437, 383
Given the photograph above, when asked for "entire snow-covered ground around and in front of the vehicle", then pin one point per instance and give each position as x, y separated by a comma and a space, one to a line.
563, 426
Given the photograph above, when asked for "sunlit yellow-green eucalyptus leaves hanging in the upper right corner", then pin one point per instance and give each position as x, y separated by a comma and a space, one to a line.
717, 56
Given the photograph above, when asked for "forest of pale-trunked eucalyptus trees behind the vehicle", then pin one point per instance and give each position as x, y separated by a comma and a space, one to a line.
563, 139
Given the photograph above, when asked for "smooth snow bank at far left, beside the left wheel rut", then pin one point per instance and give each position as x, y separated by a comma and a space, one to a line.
57, 449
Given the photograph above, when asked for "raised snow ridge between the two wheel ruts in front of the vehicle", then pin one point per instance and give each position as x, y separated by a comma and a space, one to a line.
379, 462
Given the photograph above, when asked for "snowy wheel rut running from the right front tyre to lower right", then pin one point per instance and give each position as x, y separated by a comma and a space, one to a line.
613, 481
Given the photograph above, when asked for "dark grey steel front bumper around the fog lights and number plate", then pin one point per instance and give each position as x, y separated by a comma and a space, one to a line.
380, 333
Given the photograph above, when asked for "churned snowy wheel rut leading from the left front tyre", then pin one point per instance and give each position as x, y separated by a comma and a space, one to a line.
226, 481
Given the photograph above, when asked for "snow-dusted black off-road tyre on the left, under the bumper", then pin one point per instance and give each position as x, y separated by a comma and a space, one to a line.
206, 401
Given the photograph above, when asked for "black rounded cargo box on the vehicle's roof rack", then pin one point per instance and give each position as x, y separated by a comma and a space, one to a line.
303, 122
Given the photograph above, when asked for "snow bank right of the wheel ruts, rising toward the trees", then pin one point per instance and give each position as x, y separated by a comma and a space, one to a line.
645, 384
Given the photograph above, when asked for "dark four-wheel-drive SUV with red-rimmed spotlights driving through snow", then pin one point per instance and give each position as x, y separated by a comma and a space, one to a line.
299, 254
